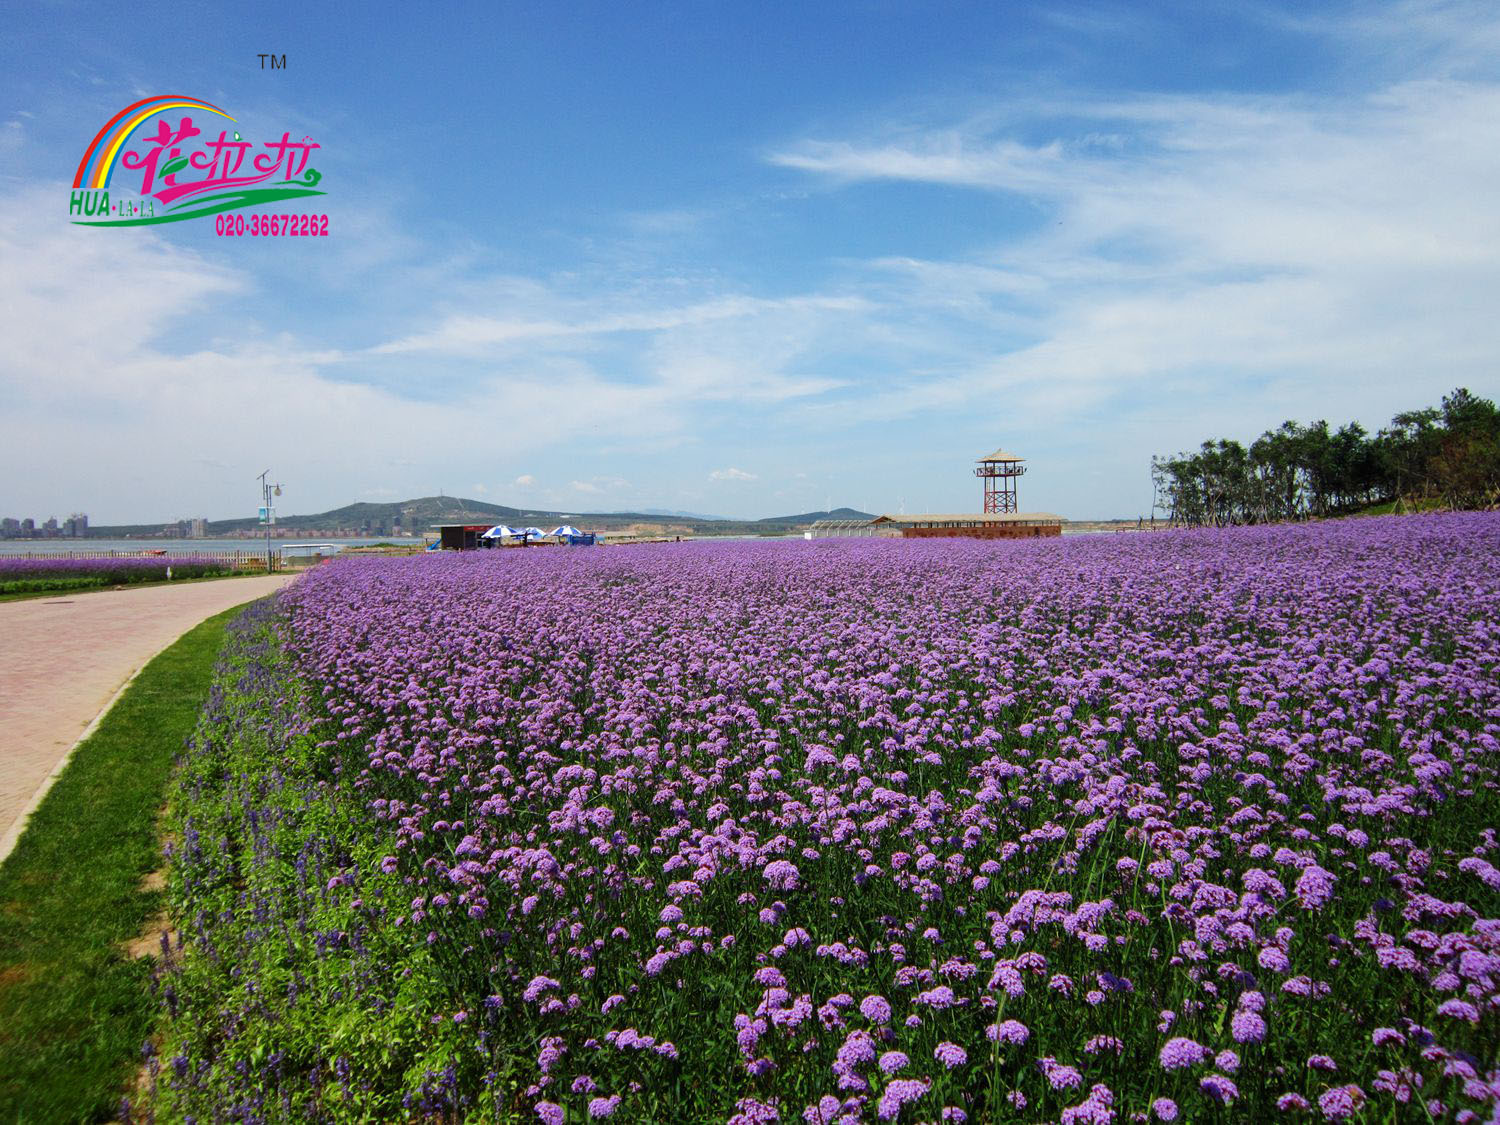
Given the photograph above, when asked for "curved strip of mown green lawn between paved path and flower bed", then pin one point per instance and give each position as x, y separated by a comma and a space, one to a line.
74, 1009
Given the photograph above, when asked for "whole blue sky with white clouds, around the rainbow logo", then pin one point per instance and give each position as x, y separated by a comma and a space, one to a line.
746, 259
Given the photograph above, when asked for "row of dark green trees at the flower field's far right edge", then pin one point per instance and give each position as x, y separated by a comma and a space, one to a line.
1439, 457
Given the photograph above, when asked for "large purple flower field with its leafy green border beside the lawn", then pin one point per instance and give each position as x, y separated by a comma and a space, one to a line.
1171, 827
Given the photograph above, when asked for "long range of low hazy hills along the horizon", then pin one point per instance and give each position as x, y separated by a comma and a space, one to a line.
419, 515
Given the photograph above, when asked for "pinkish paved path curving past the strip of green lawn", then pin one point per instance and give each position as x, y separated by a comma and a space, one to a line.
64, 661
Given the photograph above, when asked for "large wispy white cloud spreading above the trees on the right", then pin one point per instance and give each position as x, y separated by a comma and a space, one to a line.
1313, 256
